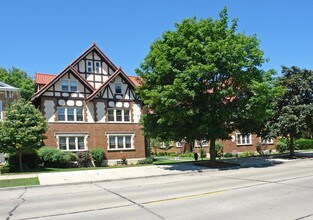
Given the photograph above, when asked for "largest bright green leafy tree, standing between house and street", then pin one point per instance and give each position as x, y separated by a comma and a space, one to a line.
197, 80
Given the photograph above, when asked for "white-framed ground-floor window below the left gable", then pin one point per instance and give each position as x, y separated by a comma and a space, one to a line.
72, 142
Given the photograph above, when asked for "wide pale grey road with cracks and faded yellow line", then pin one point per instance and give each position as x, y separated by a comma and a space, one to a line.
283, 191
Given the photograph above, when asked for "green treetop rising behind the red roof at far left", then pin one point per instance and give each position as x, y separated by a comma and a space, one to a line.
20, 79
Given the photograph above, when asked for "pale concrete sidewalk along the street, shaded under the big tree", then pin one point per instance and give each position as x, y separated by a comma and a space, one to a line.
109, 174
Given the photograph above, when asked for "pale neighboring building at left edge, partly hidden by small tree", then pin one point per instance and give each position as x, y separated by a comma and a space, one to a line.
7, 95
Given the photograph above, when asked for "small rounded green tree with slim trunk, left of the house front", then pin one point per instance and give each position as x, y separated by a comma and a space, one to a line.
22, 130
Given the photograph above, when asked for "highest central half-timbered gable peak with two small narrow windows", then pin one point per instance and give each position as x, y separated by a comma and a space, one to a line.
94, 66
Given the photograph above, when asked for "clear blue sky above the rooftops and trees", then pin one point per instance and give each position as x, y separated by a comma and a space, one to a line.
46, 36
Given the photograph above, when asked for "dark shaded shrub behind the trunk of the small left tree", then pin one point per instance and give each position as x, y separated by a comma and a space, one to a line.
30, 161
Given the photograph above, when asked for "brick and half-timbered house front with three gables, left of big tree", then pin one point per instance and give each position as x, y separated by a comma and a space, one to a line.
90, 104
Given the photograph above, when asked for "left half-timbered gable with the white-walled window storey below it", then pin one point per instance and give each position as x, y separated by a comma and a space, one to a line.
63, 99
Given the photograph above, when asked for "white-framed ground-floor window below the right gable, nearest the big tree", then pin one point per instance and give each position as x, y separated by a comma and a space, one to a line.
120, 141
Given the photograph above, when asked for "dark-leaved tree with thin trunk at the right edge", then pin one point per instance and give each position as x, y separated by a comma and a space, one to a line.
293, 111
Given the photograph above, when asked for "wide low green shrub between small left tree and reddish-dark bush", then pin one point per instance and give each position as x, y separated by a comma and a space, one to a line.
52, 157
